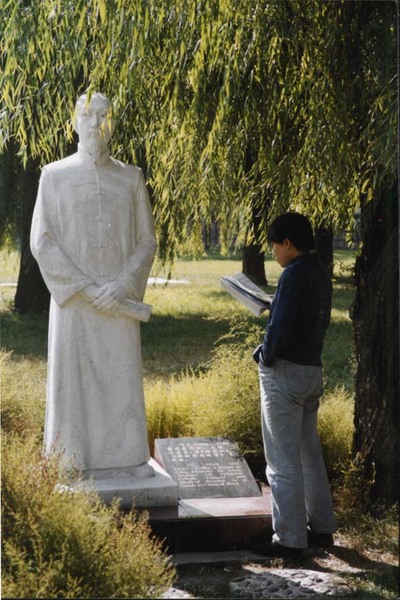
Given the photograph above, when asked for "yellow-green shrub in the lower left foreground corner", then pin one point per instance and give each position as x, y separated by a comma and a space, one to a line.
69, 545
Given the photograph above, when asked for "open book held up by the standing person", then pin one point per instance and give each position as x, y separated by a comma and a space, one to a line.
248, 293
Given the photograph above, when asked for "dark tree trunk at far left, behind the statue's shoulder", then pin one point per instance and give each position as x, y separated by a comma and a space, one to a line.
32, 295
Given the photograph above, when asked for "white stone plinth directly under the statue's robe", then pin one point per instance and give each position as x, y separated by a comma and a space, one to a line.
159, 490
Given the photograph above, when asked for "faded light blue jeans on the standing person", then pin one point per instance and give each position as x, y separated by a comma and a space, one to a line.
300, 491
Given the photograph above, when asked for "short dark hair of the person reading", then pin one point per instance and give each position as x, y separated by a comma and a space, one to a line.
295, 227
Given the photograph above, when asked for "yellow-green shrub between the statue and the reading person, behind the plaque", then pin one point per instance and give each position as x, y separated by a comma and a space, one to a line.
220, 400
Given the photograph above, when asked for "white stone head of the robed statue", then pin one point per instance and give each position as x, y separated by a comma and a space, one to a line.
93, 122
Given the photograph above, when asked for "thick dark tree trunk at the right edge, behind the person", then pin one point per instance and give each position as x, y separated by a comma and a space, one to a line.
375, 315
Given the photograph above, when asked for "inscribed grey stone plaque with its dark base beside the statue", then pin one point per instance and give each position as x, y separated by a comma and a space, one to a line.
221, 507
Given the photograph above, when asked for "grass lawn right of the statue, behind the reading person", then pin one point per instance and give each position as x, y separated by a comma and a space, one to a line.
190, 318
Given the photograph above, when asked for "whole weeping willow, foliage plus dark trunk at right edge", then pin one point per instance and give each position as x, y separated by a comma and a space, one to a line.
236, 111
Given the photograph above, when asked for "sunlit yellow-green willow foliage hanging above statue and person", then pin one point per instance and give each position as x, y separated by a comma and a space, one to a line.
225, 105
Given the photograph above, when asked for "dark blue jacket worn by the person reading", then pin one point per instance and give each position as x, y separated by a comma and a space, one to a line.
299, 314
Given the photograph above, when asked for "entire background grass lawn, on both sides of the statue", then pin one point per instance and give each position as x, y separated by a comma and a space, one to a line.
190, 318
